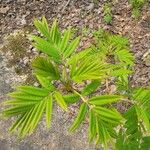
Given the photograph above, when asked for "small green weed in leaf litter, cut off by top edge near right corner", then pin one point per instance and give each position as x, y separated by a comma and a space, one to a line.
137, 6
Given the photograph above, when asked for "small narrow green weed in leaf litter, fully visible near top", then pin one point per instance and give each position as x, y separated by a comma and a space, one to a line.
107, 13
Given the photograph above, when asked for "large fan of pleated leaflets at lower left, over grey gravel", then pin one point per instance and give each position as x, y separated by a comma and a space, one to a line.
28, 104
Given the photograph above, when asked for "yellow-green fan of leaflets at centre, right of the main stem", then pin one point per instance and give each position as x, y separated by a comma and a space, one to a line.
83, 67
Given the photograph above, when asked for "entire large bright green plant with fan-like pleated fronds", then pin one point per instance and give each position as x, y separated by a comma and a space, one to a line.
108, 57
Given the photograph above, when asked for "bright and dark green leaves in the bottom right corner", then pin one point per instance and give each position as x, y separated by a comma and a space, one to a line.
137, 122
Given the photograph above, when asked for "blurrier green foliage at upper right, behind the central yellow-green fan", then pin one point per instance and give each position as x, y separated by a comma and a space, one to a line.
114, 49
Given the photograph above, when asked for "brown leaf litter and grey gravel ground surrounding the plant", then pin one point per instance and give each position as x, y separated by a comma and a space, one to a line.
18, 14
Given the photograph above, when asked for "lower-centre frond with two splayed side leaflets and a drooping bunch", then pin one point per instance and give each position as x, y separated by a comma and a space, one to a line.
102, 121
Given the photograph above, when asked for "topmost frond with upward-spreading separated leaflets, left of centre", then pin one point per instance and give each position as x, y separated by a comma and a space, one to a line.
53, 44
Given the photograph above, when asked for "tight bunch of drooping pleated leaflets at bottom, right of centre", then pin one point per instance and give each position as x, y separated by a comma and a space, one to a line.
102, 123
